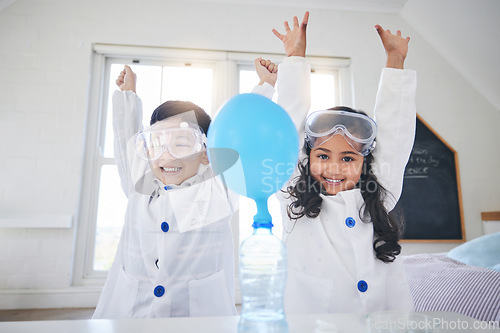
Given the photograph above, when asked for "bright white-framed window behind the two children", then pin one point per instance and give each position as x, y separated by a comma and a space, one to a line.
207, 78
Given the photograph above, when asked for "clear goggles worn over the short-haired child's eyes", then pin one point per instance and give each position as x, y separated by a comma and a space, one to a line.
179, 141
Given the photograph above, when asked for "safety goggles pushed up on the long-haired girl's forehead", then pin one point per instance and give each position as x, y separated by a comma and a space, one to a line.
358, 130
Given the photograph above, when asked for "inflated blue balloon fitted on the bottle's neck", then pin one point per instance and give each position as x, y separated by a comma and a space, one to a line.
254, 144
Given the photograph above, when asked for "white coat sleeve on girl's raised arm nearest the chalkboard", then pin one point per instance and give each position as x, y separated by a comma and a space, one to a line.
395, 114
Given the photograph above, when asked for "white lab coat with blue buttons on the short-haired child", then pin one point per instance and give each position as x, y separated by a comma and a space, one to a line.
175, 255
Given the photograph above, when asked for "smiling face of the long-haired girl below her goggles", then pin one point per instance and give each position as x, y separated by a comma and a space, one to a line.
335, 164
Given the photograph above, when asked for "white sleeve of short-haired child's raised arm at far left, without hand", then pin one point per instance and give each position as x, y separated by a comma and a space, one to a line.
127, 121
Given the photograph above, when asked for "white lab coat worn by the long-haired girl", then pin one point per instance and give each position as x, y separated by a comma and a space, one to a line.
327, 260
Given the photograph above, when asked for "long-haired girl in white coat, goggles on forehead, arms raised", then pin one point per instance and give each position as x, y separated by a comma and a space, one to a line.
341, 240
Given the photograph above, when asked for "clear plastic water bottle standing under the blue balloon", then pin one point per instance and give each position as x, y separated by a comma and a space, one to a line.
262, 272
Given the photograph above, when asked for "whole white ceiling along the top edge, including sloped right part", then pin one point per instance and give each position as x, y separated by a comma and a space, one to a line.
465, 32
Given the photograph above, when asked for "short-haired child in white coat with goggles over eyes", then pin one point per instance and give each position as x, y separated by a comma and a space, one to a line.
175, 256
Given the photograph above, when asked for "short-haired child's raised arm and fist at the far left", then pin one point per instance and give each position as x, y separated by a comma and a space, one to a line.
127, 121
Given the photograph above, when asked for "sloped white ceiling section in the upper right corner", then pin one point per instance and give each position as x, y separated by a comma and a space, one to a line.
467, 34
